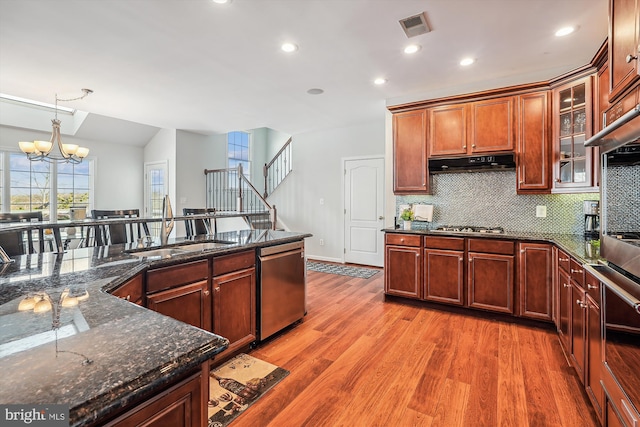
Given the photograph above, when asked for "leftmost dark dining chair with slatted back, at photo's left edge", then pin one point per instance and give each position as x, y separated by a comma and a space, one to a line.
21, 242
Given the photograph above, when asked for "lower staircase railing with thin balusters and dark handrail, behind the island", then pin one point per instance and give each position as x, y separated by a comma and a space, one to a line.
229, 190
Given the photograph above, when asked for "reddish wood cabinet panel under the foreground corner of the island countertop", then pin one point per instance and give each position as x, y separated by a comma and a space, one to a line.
183, 405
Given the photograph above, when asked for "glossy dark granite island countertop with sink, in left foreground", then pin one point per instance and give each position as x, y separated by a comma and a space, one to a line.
133, 350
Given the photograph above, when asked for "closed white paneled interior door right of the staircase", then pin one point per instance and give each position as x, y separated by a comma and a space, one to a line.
364, 207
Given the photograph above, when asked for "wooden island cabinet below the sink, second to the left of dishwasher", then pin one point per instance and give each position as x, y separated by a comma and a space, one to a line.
182, 292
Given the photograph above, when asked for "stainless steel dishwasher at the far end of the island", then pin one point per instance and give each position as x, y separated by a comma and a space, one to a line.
282, 290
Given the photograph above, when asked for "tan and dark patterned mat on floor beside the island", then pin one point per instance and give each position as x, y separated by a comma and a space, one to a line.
236, 385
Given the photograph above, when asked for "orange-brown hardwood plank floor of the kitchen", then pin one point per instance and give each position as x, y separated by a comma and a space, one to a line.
358, 360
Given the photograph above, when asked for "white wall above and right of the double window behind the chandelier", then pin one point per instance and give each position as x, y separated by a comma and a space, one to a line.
117, 167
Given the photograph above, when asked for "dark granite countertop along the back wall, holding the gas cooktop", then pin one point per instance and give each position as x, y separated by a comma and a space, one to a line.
560, 240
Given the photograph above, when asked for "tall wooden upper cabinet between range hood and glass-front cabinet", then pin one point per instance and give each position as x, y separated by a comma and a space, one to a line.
533, 143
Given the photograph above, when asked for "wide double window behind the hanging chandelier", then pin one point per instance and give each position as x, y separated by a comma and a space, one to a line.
52, 188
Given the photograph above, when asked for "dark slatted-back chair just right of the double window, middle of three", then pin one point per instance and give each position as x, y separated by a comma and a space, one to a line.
109, 234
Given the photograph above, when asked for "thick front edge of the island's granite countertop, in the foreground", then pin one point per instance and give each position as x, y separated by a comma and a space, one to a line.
144, 387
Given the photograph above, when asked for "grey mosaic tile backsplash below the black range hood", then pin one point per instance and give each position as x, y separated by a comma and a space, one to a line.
489, 199
